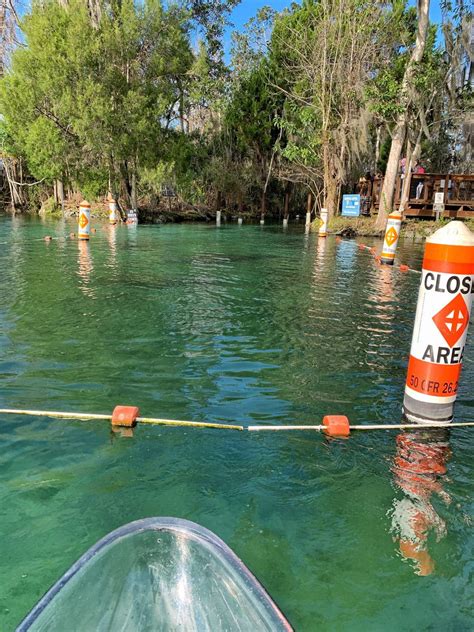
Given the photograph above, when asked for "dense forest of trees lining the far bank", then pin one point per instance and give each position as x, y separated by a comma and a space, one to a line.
136, 99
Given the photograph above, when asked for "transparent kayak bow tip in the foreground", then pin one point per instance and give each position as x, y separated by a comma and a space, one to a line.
157, 574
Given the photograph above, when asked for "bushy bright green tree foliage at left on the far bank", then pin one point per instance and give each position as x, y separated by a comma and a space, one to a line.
82, 102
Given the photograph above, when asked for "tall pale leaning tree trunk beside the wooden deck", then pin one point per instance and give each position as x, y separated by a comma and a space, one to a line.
398, 137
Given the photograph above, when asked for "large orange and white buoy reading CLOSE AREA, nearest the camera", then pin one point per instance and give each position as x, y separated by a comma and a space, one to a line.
441, 324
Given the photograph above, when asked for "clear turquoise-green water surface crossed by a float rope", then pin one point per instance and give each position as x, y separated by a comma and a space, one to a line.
244, 324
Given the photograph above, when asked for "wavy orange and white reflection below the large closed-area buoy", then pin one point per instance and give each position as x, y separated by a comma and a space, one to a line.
418, 468
